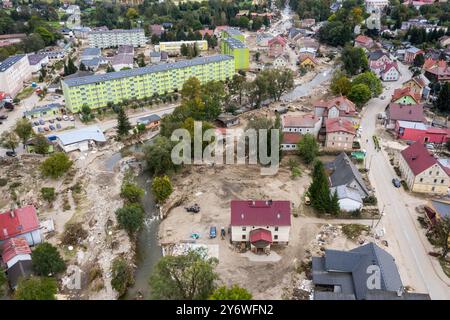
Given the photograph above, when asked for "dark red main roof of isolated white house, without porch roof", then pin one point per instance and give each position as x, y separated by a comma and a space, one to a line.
260, 213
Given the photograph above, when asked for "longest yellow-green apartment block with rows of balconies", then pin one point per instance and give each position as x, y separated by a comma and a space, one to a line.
97, 90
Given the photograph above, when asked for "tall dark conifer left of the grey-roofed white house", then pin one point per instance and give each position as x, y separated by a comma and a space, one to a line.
318, 191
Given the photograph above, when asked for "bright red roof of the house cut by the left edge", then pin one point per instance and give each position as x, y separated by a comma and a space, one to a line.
23, 220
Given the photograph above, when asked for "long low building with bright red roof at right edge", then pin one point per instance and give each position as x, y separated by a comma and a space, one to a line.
419, 132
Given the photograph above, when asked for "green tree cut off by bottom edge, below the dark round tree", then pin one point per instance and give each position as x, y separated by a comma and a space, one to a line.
36, 288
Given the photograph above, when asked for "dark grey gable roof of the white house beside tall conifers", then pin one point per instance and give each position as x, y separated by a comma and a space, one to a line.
344, 172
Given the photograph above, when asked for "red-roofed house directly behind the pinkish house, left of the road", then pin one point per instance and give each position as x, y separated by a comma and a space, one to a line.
339, 107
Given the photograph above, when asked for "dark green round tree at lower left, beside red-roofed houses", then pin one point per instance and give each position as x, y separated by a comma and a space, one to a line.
46, 260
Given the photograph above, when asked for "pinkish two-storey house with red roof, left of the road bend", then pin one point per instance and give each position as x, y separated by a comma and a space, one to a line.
340, 134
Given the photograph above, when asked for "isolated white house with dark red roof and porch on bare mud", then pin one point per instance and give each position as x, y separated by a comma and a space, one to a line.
260, 223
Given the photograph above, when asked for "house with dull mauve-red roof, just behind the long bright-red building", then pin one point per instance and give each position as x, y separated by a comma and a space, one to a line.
403, 112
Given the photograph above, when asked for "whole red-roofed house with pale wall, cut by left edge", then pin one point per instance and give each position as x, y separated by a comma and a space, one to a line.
21, 222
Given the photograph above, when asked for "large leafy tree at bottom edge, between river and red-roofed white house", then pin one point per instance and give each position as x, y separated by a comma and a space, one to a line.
184, 277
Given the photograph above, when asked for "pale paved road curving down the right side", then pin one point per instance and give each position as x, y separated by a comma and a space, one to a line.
415, 264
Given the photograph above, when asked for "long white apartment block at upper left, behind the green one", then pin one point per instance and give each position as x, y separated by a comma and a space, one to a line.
117, 37
